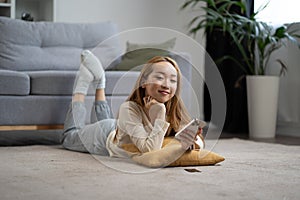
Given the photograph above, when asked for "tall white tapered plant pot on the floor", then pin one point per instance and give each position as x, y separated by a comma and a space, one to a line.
262, 97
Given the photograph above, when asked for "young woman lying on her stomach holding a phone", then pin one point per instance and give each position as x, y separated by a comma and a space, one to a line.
153, 110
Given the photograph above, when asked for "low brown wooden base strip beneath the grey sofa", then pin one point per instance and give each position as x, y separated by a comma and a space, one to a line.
30, 127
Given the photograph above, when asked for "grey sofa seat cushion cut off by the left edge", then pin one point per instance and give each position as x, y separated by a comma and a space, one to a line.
14, 83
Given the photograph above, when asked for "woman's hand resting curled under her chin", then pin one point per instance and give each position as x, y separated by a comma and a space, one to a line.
156, 110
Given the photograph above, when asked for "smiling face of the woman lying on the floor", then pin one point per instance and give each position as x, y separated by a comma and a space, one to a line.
161, 84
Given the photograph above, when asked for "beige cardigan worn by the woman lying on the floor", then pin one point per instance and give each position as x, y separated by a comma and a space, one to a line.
134, 126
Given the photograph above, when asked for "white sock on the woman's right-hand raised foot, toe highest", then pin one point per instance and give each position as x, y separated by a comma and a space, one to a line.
92, 63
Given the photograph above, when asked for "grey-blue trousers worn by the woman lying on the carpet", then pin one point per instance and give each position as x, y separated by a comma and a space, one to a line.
91, 137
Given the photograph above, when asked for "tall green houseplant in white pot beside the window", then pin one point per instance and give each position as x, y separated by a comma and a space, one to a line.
256, 42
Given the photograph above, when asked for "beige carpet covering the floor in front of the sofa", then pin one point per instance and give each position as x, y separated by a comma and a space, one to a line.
252, 170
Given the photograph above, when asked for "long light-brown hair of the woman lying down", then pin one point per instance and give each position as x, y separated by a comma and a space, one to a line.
176, 111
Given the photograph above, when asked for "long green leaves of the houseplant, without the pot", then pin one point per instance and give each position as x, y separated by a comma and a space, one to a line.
256, 40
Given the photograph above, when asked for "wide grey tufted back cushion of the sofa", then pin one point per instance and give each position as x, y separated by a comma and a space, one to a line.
26, 46
